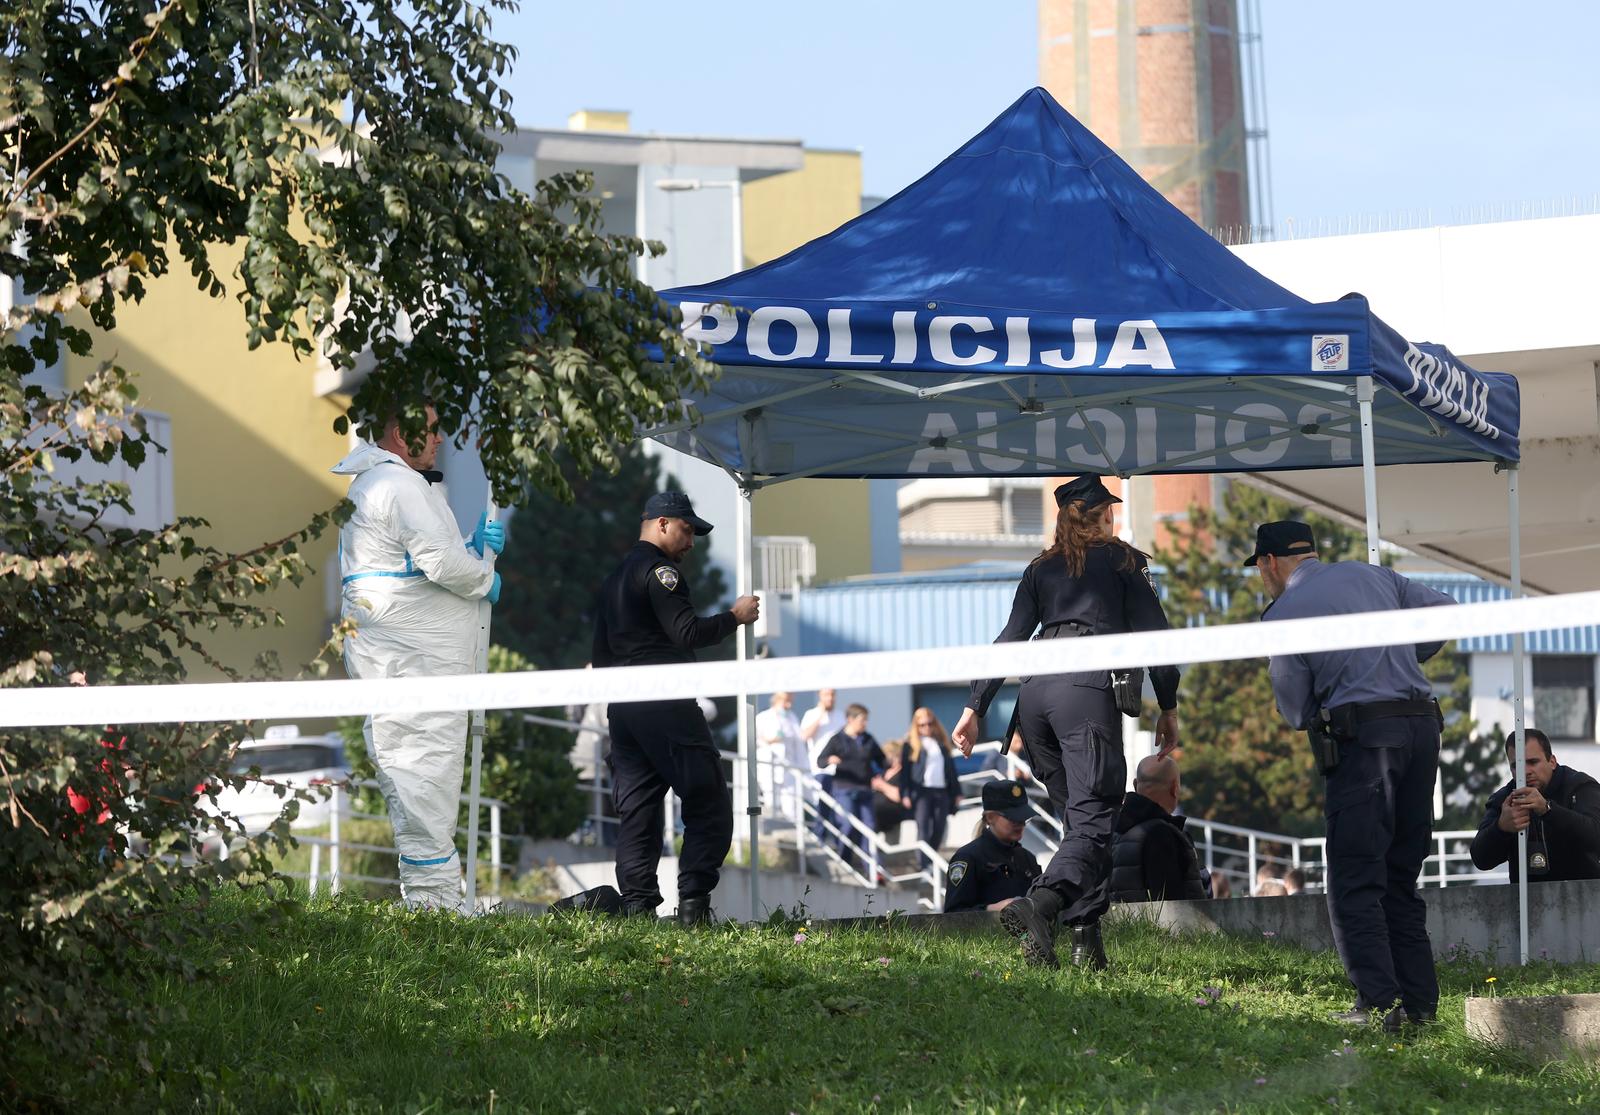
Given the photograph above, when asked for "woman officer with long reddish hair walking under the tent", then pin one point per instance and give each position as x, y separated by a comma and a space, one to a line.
1087, 583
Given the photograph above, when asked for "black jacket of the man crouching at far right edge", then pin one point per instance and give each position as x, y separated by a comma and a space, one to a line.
1569, 834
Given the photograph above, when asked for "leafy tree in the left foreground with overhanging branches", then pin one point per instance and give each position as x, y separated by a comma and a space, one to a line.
350, 150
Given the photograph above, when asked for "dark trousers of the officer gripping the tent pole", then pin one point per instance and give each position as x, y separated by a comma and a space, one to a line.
660, 746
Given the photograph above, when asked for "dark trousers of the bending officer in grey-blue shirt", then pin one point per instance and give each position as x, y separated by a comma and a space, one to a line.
1380, 829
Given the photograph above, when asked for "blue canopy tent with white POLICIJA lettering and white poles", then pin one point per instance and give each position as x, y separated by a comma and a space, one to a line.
1033, 306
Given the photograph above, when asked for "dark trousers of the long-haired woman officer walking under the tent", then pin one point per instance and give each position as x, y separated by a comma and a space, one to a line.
1073, 740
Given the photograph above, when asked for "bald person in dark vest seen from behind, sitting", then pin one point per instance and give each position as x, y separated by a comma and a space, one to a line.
1151, 857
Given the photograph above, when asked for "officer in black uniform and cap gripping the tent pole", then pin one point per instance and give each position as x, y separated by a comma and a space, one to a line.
646, 618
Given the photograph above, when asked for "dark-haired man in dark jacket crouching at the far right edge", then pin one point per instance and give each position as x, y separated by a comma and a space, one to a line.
1561, 810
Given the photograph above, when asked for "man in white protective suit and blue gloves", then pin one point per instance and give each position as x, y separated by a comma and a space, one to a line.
412, 586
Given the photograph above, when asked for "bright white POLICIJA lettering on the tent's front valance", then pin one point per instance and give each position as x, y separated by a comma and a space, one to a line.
951, 340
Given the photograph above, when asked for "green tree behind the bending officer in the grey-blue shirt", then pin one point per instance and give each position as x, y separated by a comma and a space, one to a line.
1242, 764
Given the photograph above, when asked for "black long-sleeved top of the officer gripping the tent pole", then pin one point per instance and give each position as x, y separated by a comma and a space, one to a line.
644, 615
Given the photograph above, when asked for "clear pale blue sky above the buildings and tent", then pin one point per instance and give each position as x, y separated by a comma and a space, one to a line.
1374, 108
